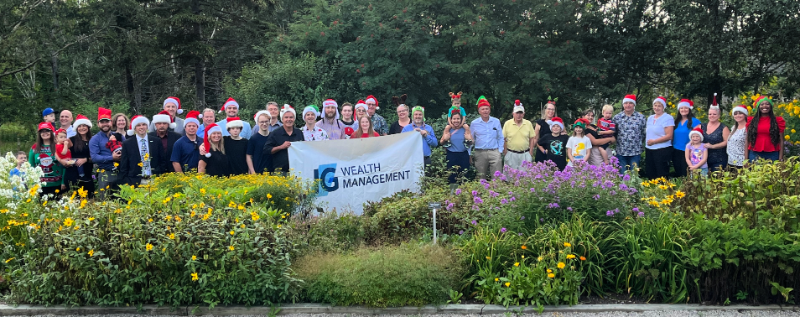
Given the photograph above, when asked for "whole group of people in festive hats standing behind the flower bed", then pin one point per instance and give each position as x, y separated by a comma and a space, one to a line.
131, 151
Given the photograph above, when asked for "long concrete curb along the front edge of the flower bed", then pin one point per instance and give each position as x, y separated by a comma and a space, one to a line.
477, 309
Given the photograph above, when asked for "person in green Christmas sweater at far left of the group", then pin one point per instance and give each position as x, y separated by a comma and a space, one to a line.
42, 155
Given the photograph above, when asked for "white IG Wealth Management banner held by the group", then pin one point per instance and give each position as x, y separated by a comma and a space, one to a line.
356, 171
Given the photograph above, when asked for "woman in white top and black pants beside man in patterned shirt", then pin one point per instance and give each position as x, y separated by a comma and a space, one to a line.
658, 151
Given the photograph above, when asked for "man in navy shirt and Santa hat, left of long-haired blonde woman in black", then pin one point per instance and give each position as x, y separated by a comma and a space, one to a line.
185, 152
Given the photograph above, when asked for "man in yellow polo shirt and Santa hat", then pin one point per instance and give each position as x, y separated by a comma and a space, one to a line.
519, 136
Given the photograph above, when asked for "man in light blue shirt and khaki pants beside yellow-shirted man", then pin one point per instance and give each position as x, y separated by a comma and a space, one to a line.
488, 136
